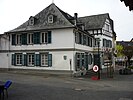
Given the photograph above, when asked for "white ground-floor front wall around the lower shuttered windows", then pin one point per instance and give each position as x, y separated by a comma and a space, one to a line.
58, 62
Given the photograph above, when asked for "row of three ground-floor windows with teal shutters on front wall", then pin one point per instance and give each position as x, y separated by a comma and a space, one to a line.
32, 59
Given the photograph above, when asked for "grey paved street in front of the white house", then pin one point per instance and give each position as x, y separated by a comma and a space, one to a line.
33, 87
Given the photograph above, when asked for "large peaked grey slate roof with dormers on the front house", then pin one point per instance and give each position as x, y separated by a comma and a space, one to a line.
62, 20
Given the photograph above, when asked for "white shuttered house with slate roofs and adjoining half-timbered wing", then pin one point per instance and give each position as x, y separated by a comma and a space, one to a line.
55, 40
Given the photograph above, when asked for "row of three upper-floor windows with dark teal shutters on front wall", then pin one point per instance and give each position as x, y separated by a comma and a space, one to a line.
31, 38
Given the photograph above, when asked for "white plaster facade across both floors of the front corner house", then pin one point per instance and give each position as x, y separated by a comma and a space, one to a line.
62, 47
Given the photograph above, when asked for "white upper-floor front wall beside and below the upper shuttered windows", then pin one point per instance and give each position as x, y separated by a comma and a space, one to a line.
61, 38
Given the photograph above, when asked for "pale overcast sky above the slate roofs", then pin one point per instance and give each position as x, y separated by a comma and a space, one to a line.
15, 12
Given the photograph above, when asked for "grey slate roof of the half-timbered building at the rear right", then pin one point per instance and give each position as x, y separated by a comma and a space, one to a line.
94, 21
